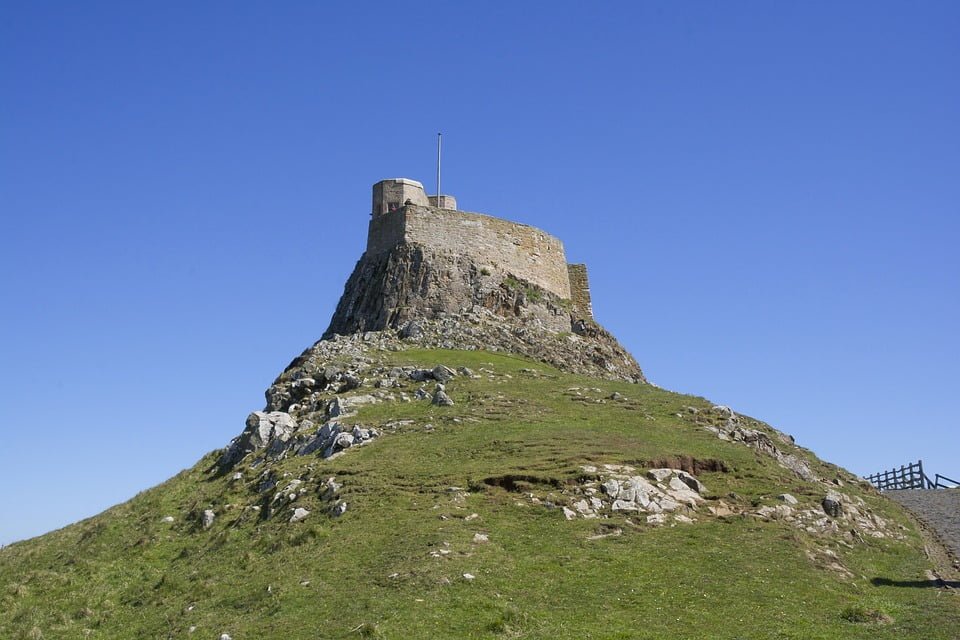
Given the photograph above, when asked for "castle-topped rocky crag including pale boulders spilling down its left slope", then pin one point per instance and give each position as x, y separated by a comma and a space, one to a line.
420, 290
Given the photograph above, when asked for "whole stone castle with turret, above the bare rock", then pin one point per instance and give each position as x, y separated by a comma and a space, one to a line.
402, 214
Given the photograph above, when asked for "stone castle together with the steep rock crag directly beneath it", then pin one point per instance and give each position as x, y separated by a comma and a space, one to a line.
443, 277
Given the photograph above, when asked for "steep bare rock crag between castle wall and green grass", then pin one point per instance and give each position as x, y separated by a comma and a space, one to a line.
440, 299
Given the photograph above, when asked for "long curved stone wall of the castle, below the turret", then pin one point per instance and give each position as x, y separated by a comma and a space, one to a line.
524, 251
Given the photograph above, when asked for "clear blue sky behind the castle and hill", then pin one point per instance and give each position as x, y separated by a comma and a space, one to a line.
767, 196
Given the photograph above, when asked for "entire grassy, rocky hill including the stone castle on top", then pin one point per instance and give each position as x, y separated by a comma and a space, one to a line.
467, 453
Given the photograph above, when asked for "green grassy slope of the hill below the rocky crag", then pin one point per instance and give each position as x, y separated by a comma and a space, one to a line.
455, 528
